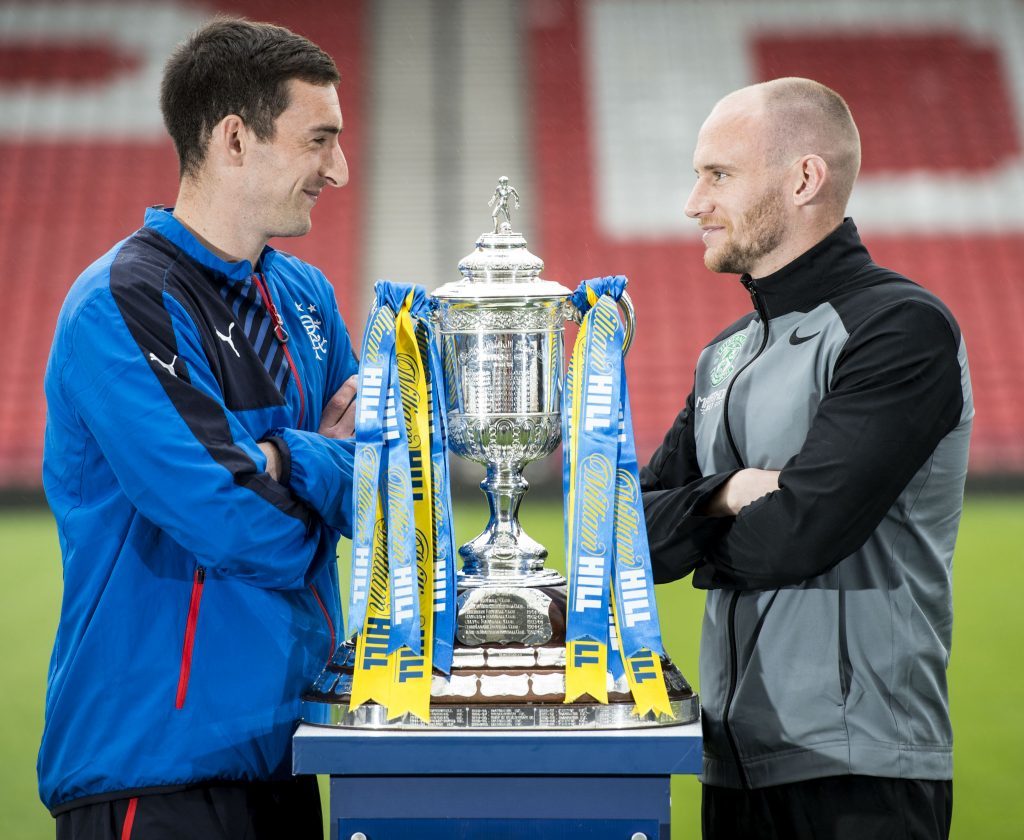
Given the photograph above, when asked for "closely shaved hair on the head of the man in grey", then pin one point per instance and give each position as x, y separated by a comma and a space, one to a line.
807, 118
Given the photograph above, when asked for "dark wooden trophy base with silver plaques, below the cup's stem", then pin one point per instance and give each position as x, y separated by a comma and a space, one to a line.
508, 673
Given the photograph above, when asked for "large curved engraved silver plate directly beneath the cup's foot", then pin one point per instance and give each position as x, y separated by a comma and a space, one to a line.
495, 616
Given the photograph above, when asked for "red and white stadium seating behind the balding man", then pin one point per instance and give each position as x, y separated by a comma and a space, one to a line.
937, 107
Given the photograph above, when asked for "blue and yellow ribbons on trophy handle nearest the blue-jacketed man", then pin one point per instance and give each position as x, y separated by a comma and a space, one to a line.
395, 583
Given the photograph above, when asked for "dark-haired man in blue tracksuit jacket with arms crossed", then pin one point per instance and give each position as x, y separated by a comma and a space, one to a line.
198, 460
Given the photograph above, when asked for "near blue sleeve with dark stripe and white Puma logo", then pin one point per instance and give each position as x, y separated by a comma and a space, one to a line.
140, 382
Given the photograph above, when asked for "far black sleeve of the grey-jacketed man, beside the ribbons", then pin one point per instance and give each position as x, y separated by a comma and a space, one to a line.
674, 491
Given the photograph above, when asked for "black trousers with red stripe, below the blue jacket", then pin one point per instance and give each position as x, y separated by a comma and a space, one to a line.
251, 811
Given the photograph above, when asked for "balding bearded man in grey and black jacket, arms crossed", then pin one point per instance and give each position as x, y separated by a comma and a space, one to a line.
814, 485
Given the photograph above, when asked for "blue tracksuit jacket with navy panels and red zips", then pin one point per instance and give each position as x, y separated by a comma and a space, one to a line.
200, 597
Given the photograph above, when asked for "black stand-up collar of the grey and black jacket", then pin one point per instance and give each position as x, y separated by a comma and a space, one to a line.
814, 277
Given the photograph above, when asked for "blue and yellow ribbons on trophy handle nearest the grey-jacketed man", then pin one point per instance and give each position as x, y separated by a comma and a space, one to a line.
612, 591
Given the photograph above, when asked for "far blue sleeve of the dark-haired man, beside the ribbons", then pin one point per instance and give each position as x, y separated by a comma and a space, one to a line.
319, 470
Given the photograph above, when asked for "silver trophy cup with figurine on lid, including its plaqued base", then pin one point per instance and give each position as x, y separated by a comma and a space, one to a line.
501, 329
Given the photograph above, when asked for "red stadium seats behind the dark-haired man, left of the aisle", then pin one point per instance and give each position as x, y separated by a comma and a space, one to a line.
68, 199
